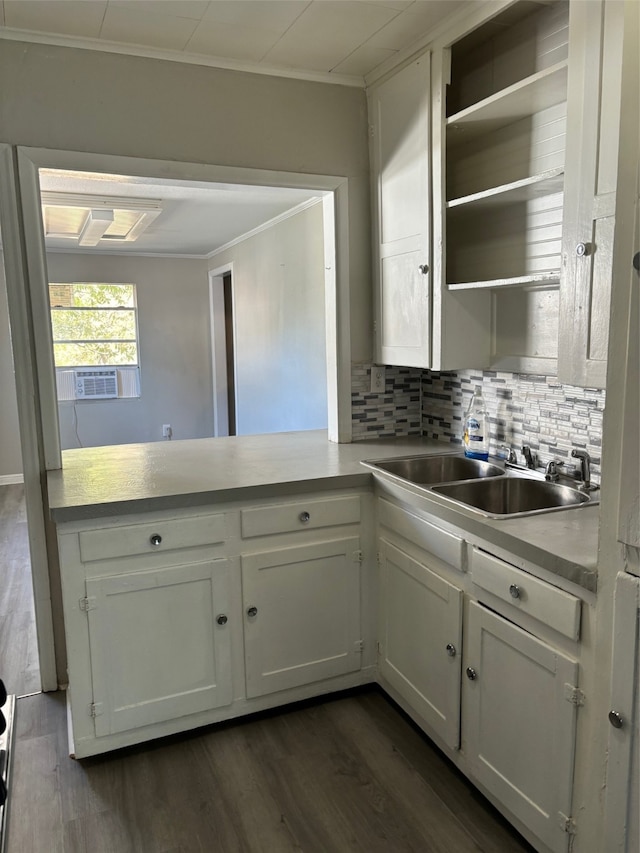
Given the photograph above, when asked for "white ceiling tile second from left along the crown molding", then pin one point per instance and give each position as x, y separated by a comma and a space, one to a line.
128, 25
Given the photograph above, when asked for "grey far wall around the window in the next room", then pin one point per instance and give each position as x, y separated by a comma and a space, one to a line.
174, 341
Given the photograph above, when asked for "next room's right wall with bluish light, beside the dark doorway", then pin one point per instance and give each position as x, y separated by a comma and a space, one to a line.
279, 314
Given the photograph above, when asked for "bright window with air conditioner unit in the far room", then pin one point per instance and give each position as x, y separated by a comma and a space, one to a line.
95, 335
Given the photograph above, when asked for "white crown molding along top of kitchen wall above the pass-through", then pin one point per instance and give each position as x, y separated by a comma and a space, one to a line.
11, 34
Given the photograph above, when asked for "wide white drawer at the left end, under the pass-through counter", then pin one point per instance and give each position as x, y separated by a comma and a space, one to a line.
129, 540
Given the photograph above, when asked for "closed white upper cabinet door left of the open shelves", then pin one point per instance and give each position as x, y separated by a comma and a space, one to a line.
399, 112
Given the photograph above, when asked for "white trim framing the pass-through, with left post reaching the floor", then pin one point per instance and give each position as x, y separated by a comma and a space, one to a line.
25, 260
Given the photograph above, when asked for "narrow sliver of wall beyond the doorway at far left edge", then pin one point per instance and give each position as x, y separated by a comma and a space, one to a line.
10, 451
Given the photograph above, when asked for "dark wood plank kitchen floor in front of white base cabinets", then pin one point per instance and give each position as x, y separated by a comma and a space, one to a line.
347, 773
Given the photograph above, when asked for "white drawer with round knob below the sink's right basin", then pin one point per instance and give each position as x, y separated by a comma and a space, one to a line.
558, 609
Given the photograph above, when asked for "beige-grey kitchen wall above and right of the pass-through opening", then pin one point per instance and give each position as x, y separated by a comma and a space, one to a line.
88, 101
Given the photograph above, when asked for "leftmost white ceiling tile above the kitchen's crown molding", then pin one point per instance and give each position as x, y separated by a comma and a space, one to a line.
64, 17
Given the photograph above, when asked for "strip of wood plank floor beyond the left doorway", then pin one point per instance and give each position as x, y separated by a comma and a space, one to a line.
19, 668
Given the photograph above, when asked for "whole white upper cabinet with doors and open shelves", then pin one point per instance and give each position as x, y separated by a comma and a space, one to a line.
523, 113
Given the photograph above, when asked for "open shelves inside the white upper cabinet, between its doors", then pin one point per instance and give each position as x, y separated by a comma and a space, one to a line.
505, 130
